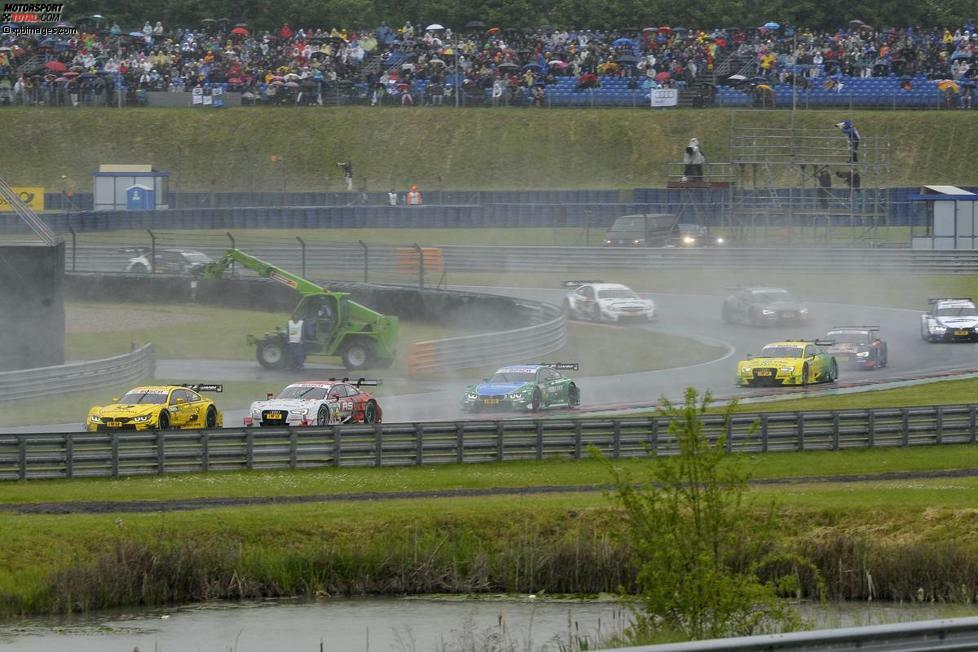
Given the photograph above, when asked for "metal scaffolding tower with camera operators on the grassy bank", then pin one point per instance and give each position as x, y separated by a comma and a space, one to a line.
778, 197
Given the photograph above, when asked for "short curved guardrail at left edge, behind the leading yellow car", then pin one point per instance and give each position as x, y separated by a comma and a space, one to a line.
77, 376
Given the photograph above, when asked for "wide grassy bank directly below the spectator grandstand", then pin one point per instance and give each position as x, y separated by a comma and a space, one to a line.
471, 149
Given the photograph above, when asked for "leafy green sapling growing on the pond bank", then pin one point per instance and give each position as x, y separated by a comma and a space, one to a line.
698, 544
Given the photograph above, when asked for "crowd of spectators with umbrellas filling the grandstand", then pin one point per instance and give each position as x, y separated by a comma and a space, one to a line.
413, 65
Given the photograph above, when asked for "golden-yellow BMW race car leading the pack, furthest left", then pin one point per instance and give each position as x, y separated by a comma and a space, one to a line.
158, 407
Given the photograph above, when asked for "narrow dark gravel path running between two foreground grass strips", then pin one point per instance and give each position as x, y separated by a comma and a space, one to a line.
106, 506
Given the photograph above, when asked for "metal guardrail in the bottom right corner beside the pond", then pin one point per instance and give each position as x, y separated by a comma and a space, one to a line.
921, 636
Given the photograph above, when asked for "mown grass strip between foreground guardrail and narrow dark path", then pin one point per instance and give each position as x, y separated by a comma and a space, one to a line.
566, 473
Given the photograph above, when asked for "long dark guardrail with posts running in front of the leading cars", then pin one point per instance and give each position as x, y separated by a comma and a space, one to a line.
78, 455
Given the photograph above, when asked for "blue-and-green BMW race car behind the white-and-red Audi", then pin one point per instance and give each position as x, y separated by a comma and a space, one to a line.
524, 388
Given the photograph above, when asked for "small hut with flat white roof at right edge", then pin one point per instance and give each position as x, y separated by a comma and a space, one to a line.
944, 217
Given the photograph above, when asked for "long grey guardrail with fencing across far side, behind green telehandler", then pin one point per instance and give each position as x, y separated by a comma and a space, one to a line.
402, 264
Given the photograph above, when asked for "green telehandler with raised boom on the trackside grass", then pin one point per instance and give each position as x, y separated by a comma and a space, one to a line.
333, 324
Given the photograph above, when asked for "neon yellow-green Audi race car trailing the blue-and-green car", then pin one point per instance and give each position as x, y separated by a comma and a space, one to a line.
792, 362
